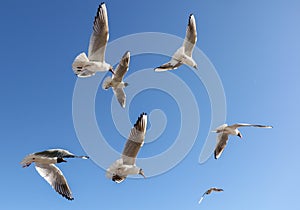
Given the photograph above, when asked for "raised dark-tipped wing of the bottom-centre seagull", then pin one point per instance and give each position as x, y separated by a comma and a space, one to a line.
135, 140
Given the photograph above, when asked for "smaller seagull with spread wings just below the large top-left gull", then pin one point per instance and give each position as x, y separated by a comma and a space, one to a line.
116, 81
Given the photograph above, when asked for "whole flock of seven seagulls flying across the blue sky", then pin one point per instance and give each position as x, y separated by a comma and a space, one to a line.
87, 66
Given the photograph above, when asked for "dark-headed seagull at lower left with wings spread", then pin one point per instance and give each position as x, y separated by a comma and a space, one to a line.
44, 164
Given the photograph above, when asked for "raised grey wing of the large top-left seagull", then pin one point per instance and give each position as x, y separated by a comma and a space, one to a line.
99, 36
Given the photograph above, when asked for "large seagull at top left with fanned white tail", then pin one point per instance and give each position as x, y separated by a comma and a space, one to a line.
84, 66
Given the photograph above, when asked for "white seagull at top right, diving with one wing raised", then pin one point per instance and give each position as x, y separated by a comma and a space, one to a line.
184, 54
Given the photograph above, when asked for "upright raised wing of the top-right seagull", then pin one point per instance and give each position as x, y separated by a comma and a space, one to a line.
190, 37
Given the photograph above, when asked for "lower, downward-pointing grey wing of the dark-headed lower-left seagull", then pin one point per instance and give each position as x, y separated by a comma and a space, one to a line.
55, 178
